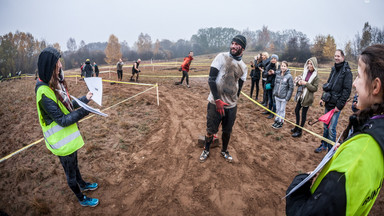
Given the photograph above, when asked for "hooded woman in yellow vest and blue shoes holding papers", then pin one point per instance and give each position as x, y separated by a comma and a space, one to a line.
58, 117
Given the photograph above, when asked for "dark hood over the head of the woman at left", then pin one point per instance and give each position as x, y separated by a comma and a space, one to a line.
47, 63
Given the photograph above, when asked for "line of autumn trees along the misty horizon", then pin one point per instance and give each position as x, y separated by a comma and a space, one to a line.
19, 51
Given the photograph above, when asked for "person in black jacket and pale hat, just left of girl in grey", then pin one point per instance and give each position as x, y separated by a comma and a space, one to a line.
270, 83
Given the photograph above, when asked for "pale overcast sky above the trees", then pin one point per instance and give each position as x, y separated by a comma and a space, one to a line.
96, 20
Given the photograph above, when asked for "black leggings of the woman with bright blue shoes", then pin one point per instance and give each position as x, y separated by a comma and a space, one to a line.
72, 172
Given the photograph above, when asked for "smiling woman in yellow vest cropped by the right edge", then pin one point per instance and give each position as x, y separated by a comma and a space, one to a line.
350, 182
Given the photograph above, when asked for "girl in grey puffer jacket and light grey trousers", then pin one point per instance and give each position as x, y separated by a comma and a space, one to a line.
282, 92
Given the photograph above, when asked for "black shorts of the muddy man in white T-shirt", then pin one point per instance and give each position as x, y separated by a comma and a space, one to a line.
214, 119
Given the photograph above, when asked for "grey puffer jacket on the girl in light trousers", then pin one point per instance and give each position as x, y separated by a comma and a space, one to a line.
283, 88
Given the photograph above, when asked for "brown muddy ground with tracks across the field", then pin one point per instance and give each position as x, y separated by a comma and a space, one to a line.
145, 156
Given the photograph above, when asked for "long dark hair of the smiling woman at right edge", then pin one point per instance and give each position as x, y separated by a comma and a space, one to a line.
373, 58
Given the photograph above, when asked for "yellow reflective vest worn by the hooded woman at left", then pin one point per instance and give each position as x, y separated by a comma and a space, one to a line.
61, 141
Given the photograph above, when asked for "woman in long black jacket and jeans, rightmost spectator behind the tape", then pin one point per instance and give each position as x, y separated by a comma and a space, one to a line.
335, 94
